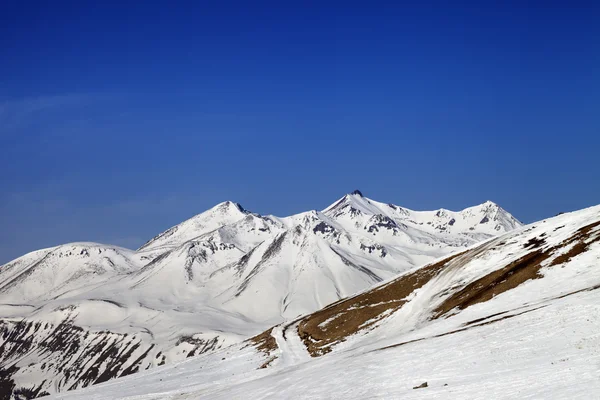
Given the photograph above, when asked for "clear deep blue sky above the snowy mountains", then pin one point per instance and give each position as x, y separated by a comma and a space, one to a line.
119, 121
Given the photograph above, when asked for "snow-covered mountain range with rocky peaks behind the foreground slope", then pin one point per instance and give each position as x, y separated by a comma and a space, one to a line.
84, 313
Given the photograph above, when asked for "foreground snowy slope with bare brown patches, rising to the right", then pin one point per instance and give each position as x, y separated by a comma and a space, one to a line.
515, 317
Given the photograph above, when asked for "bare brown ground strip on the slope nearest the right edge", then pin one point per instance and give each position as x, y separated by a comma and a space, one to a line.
519, 271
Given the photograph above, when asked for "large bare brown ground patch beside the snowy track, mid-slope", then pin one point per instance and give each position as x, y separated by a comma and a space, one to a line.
321, 330
